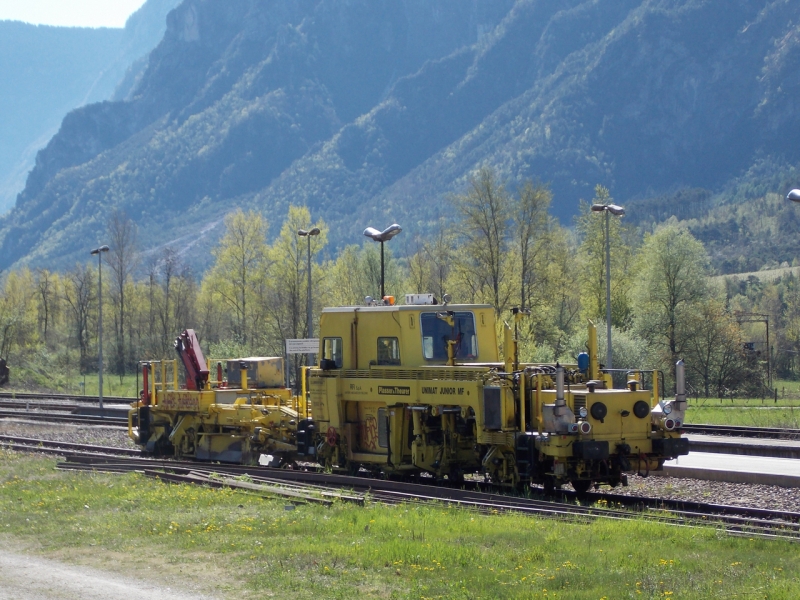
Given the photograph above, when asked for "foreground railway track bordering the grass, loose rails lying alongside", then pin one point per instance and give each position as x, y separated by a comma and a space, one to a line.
310, 486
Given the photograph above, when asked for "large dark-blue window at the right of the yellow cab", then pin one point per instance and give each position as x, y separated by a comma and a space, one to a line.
437, 330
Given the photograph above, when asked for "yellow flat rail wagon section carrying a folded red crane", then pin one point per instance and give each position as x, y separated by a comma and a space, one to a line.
236, 420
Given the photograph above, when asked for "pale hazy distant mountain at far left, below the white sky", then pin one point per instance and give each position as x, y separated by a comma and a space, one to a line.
48, 71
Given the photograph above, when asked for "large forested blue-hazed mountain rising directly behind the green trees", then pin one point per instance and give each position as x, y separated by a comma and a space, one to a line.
369, 112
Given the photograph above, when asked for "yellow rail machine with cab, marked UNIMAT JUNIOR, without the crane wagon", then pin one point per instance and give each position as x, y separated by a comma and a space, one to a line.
420, 388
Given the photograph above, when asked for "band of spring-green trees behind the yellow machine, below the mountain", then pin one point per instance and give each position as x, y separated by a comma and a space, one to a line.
502, 248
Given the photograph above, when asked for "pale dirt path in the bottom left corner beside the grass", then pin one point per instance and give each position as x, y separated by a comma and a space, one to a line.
24, 576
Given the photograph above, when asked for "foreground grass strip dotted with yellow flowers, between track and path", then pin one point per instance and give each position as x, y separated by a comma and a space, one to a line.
239, 545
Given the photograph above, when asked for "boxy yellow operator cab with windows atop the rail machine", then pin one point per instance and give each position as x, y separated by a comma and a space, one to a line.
421, 333
